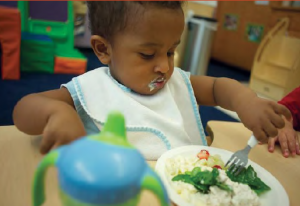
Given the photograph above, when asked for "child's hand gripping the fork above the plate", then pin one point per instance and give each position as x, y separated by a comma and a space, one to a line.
263, 117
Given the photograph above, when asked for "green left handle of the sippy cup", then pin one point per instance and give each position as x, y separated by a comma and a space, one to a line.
38, 194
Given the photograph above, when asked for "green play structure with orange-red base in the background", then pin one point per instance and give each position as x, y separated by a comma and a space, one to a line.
61, 32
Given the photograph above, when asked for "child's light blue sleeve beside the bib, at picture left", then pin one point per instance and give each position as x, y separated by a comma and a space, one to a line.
88, 123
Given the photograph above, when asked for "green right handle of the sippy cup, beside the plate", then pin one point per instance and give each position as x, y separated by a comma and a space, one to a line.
152, 182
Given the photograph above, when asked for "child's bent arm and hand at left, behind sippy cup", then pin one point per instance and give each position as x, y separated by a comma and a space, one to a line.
49, 113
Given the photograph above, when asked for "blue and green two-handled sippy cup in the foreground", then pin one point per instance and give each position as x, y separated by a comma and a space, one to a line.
99, 170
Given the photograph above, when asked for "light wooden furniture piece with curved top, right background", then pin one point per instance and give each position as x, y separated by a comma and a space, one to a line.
276, 67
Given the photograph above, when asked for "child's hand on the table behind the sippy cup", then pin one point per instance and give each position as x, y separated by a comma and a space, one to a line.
61, 128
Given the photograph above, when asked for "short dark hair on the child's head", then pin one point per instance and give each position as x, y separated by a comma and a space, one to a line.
109, 17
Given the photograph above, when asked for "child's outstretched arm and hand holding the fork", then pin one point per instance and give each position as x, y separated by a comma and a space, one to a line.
261, 116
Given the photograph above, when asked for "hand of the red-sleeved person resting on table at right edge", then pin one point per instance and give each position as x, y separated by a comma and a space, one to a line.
288, 140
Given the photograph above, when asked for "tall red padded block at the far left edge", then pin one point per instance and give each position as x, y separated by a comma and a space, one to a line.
10, 39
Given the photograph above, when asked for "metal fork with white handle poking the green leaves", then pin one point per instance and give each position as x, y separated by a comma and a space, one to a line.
239, 159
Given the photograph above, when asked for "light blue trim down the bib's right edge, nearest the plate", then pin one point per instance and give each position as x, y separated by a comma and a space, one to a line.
194, 105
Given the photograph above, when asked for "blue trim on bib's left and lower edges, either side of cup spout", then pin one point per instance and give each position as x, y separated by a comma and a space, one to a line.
157, 133
